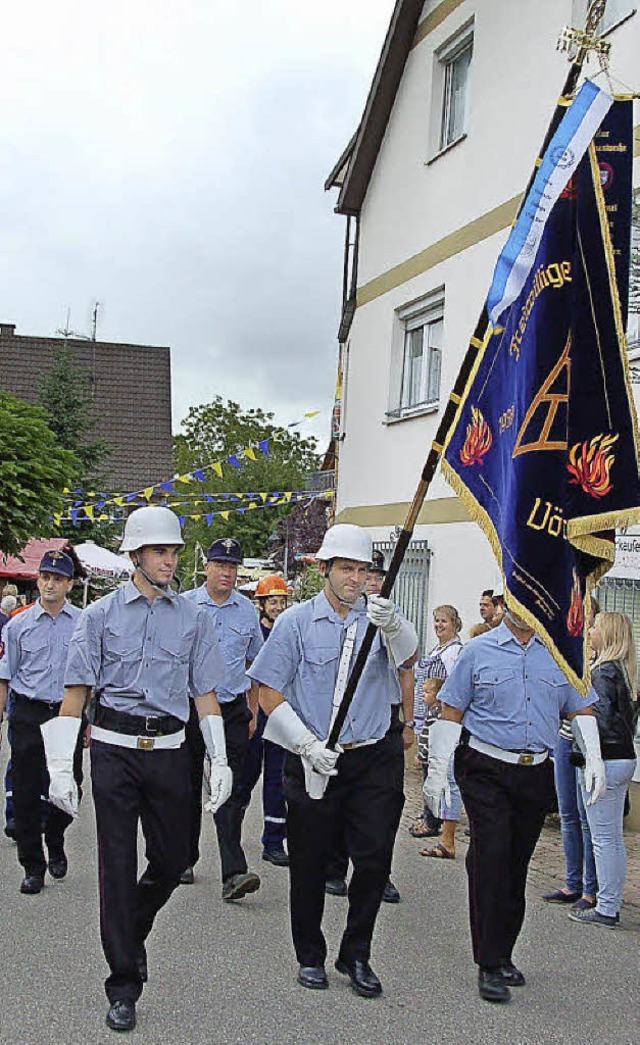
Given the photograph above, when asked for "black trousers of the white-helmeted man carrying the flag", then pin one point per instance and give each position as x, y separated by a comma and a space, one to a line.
367, 801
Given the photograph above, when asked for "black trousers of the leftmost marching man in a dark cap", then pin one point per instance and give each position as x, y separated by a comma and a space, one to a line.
32, 780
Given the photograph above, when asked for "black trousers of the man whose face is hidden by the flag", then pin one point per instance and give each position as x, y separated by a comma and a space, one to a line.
507, 806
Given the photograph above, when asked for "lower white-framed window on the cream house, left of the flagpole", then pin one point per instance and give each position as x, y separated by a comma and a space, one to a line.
419, 355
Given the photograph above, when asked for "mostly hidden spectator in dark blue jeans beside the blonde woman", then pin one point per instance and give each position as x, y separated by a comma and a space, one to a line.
581, 881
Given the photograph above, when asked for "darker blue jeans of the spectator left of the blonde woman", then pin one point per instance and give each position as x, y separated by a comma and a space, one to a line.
577, 837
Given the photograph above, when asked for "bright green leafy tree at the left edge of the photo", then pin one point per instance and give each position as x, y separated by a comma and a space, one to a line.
34, 472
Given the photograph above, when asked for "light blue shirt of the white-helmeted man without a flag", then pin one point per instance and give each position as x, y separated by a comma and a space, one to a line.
145, 658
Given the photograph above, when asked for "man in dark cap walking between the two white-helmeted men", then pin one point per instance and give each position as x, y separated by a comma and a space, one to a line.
238, 631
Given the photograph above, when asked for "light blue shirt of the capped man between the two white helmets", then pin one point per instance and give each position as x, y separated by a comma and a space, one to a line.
238, 632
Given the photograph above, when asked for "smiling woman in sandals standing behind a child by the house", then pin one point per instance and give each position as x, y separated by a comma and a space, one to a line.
430, 677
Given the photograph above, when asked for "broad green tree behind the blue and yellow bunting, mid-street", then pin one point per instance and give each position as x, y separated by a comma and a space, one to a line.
214, 432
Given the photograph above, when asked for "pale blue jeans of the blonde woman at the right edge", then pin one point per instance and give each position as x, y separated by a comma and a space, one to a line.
606, 823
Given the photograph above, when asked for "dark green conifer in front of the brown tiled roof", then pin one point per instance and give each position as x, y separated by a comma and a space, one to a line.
65, 397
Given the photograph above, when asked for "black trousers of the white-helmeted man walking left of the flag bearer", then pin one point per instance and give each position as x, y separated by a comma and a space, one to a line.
131, 787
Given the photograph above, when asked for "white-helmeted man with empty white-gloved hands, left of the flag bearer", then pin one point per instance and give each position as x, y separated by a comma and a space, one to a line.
144, 649
